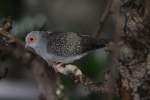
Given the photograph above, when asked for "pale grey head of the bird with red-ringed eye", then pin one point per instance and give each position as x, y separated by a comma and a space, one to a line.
33, 39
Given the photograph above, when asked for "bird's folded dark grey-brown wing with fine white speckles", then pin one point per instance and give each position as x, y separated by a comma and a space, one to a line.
70, 44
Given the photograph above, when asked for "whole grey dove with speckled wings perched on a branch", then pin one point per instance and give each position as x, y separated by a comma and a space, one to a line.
58, 48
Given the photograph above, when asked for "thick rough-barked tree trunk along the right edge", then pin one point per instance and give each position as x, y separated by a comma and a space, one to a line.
132, 40
